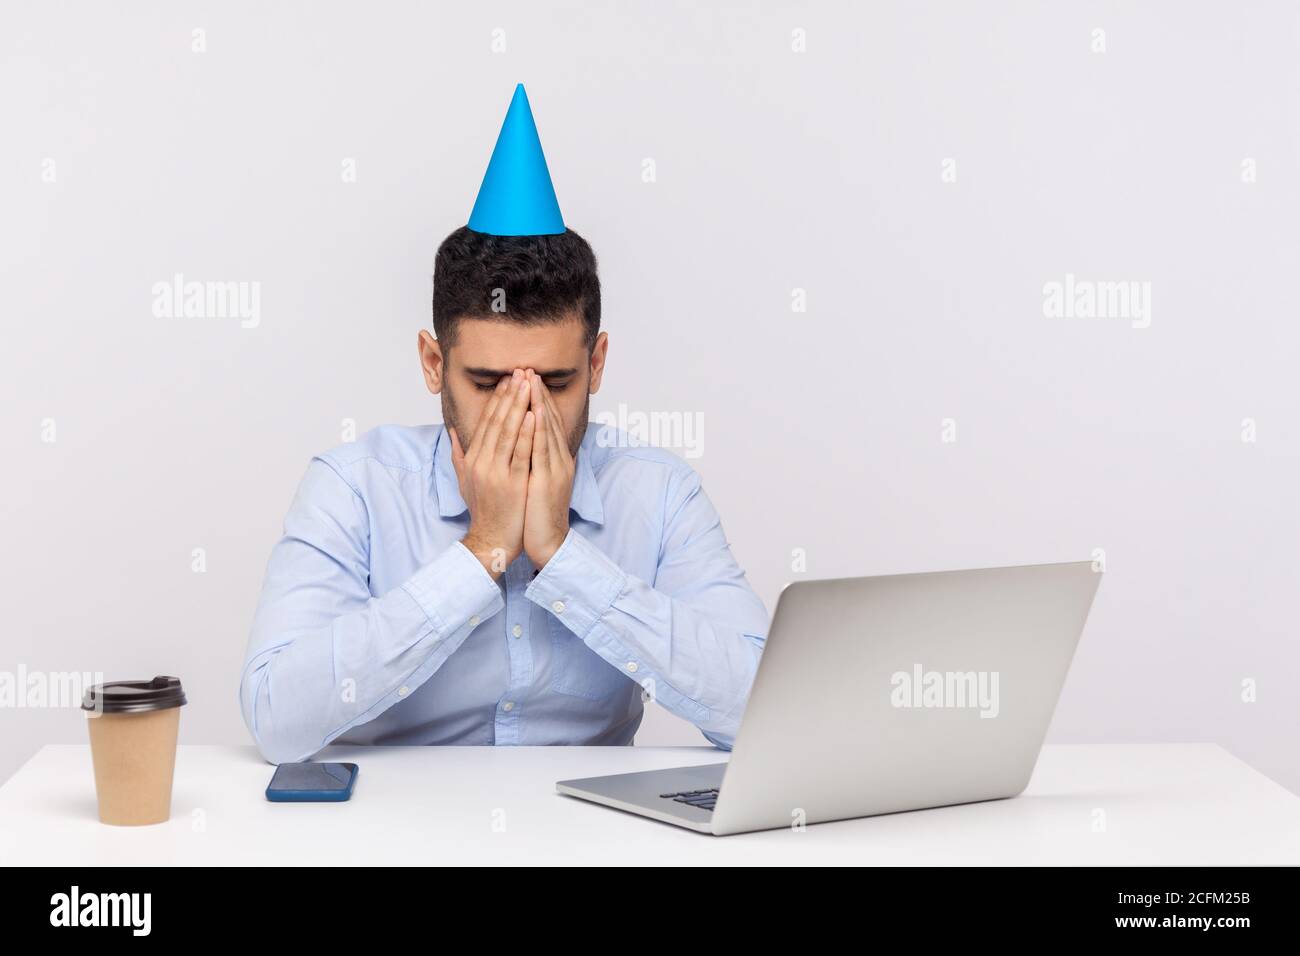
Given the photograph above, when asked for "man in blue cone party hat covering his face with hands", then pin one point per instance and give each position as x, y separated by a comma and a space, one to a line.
518, 576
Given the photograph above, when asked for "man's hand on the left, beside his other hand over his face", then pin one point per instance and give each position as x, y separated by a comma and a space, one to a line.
493, 475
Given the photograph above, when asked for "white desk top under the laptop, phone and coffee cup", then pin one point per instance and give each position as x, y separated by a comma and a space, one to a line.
1163, 804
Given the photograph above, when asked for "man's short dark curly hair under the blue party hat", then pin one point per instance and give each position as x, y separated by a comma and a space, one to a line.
543, 279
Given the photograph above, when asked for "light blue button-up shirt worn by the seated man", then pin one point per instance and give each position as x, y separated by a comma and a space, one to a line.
378, 626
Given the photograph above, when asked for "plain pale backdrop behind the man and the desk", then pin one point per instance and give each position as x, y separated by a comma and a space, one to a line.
775, 171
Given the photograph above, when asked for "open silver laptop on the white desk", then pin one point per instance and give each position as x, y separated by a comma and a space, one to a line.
877, 695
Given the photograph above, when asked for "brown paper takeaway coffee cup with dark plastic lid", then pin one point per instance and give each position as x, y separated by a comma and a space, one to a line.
133, 728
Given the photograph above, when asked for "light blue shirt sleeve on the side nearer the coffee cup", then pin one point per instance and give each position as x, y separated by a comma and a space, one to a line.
327, 655
